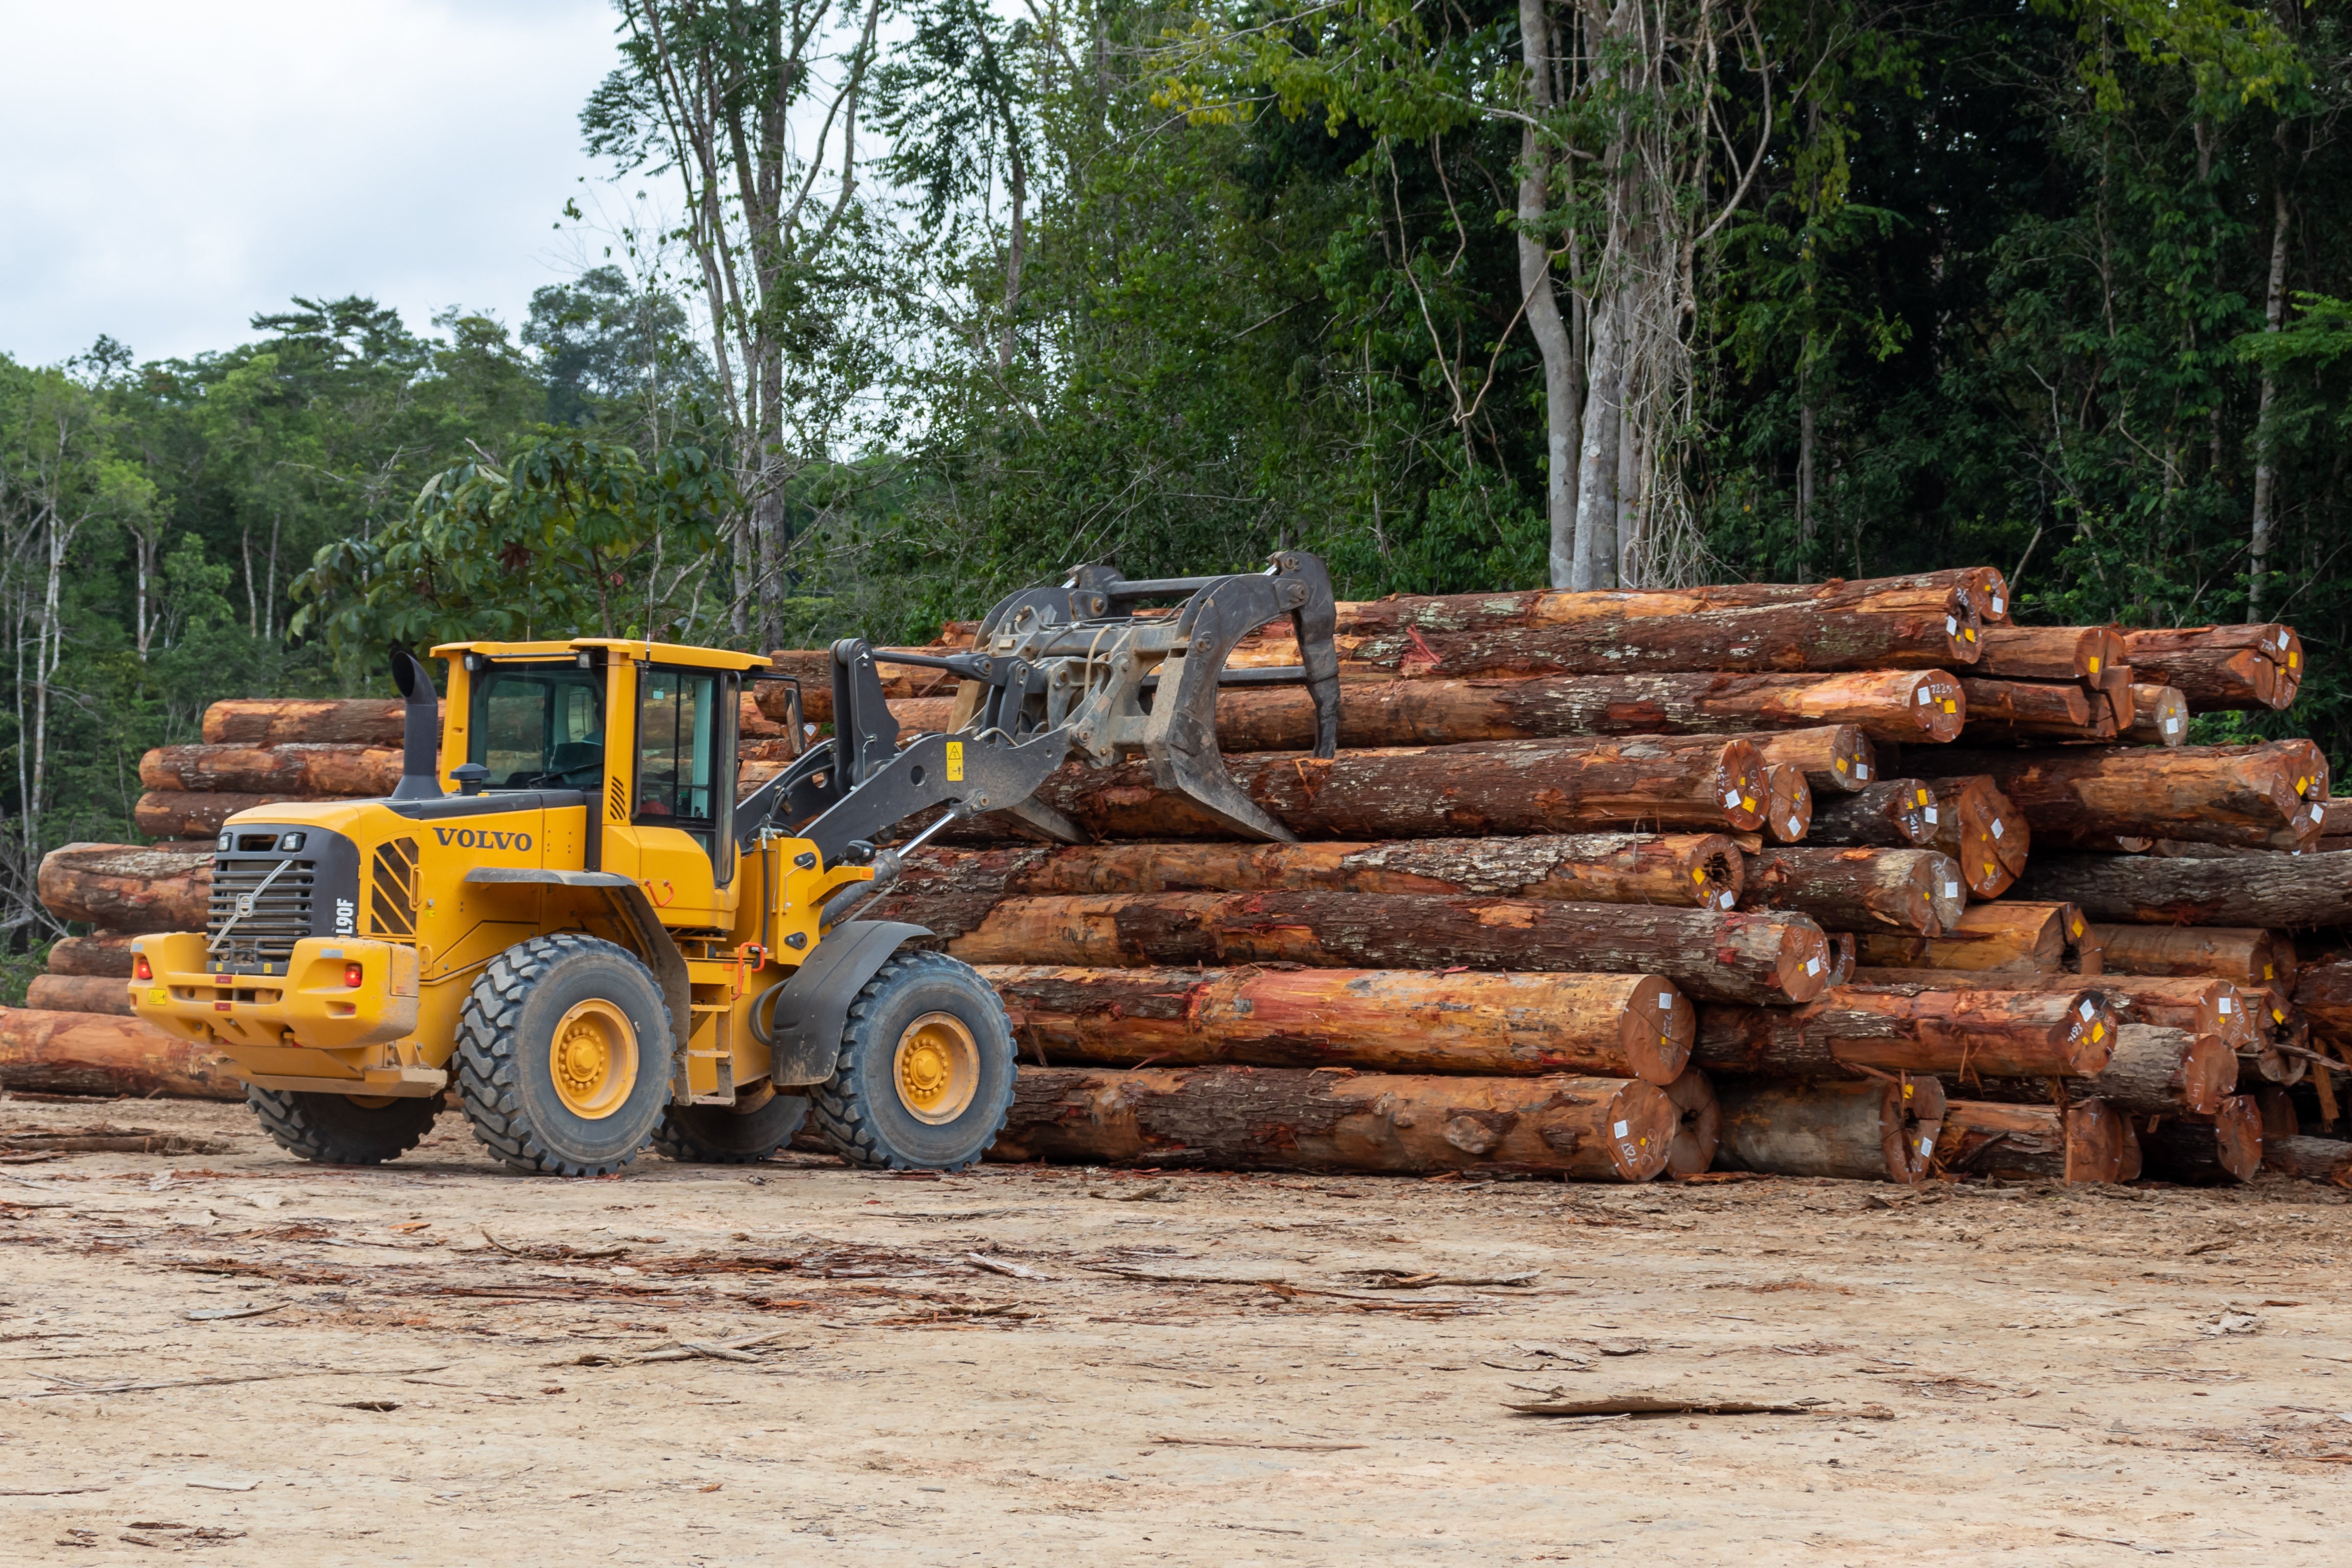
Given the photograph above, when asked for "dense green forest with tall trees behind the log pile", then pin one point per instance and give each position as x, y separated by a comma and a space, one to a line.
956, 295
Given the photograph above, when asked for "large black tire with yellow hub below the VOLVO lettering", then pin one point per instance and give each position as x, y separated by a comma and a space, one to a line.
530, 1101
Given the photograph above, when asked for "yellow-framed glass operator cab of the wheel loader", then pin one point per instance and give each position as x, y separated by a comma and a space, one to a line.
643, 730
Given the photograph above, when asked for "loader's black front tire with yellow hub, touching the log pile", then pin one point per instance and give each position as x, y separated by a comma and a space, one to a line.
874, 1108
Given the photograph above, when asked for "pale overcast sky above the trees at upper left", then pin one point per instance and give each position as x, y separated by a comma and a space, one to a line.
173, 168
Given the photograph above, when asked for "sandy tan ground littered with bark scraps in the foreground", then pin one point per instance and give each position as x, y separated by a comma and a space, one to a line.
799, 1365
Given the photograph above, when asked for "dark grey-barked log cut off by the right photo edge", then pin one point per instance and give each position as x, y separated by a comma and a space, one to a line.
2311, 890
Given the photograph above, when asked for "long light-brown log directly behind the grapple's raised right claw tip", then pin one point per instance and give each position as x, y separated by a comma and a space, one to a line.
1384, 711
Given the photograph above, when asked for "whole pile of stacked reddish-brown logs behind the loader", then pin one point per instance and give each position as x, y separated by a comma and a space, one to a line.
1836, 880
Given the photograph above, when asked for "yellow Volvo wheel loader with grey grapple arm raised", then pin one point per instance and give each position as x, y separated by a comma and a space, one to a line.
566, 913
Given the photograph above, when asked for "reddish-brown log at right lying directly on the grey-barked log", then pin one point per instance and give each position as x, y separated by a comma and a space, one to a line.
2205, 793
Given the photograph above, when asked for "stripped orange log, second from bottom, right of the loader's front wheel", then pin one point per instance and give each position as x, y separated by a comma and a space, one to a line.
1372, 1019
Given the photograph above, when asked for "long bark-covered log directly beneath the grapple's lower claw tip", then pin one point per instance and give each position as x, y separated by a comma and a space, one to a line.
1702, 871
